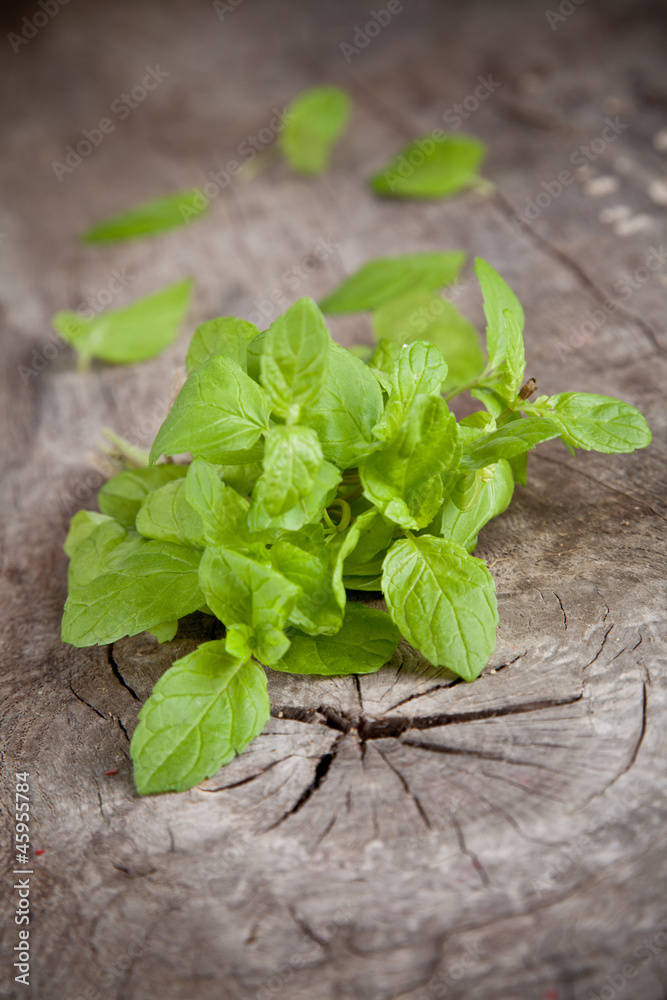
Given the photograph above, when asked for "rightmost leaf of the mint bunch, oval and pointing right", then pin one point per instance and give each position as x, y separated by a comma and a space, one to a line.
598, 423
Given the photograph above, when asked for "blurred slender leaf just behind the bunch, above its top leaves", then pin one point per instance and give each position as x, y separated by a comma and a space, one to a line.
379, 281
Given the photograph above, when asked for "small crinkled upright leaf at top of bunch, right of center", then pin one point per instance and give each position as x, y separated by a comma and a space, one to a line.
420, 370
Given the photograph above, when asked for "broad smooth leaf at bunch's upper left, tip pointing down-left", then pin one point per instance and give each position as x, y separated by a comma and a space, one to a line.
219, 414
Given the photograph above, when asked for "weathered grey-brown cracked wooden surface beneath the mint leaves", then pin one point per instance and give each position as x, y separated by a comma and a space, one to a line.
395, 836
